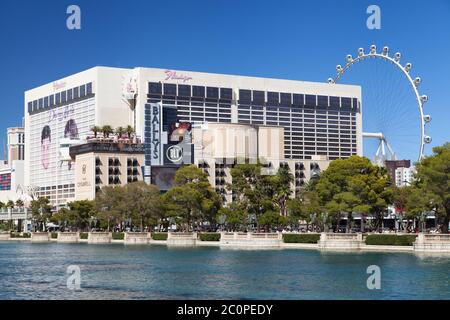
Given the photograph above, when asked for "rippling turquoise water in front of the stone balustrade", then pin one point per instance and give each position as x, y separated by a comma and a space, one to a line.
38, 271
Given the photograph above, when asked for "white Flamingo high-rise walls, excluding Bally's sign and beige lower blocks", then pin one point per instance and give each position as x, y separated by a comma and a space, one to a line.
320, 121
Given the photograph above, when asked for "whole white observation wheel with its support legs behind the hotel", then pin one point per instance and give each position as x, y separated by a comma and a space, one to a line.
384, 150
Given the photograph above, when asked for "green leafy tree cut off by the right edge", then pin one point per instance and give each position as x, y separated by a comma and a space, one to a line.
432, 179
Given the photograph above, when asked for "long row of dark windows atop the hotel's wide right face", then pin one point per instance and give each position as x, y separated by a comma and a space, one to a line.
248, 97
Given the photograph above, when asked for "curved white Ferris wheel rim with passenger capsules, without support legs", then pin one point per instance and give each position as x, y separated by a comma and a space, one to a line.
421, 99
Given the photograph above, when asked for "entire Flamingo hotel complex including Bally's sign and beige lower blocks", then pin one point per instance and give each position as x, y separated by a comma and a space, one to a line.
181, 117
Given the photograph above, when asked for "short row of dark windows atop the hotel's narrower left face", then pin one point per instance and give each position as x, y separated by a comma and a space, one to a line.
60, 98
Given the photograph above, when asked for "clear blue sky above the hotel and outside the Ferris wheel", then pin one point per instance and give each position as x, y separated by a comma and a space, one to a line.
302, 40
